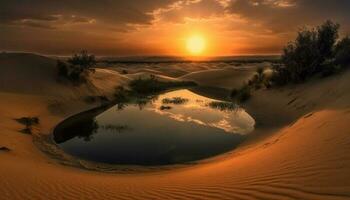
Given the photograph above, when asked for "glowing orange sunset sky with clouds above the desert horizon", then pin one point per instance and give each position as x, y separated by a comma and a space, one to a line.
161, 27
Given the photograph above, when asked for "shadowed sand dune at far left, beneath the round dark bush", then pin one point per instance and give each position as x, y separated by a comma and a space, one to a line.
32, 74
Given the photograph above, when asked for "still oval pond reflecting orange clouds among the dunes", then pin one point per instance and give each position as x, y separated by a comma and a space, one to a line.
175, 127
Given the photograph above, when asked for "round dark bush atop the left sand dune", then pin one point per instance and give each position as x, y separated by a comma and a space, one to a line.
77, 68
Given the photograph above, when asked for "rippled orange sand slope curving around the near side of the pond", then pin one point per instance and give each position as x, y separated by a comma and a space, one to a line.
306, 154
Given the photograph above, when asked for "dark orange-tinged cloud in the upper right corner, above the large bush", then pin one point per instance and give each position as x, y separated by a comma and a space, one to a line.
287, 15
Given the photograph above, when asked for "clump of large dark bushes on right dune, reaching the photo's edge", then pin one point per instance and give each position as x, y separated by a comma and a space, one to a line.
314, 51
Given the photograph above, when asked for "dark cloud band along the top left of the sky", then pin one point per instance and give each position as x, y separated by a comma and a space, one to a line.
107, 11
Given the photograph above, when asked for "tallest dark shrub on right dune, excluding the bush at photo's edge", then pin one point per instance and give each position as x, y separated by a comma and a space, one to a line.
307, 55
